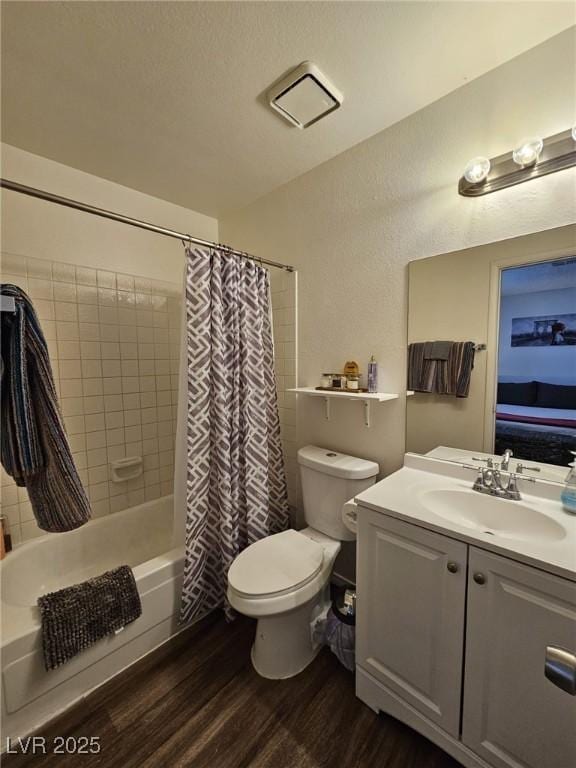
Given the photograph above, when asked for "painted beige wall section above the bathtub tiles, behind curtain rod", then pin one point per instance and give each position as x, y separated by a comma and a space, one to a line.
41, 230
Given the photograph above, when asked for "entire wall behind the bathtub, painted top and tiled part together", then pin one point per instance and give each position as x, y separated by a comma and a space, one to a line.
109, 298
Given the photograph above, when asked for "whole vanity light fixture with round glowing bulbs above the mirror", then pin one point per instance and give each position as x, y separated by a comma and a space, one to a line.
533, 158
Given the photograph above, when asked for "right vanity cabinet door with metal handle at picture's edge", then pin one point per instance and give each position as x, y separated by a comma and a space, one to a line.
513, 715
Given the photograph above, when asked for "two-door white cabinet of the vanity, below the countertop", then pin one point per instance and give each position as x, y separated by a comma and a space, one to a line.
453, 640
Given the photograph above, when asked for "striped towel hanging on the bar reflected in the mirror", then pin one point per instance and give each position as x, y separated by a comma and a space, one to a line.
441, 375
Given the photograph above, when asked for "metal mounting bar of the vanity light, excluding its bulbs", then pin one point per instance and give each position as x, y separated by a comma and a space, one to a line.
559, 152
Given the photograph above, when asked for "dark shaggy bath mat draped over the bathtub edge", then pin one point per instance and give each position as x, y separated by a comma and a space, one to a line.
76, 617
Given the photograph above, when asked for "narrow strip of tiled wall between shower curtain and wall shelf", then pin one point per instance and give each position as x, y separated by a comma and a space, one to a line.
284, 310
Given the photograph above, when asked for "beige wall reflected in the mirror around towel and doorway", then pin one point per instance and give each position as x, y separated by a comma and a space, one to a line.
450, 298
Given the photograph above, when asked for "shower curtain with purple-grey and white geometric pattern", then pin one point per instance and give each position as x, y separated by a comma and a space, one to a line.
236, 487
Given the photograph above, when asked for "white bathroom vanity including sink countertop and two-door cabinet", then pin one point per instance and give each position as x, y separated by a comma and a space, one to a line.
466, 615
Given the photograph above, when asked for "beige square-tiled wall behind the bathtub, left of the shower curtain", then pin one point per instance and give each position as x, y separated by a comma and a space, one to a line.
114, 345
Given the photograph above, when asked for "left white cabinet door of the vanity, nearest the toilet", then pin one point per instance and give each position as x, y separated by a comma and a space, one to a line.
410, 614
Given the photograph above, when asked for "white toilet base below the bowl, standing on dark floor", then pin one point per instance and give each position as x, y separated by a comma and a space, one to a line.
283, 644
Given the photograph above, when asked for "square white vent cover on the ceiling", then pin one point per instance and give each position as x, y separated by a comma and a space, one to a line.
304, 96
